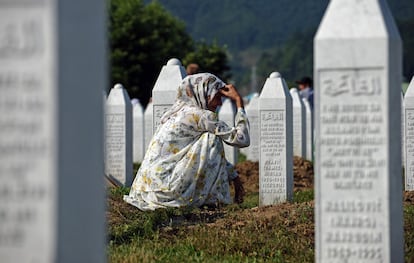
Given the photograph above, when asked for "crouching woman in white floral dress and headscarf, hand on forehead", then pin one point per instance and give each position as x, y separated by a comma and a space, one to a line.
185, 163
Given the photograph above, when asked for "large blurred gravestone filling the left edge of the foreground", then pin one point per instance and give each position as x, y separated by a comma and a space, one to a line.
52, 198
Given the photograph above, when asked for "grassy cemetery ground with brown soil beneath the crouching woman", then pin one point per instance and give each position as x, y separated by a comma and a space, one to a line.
234, 233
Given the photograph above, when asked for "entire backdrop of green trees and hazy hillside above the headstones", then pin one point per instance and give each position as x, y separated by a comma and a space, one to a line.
225, 37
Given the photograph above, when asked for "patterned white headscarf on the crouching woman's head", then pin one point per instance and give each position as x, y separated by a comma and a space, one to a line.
195, 90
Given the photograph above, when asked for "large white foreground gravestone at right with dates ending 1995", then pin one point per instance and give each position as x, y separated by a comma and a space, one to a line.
358, 198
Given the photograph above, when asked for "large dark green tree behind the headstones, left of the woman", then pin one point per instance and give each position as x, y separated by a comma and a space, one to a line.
142, 39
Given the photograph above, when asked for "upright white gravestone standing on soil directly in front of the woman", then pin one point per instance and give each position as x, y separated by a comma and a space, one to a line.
276, 142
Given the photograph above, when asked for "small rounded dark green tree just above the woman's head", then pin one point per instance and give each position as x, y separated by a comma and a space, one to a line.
211, 58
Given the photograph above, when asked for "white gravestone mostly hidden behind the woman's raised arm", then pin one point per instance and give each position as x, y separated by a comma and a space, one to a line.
227, 114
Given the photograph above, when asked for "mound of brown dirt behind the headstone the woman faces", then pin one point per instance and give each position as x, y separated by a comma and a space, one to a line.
302, 173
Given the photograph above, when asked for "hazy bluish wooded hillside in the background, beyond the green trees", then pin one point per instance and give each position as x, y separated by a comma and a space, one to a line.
262, 31
